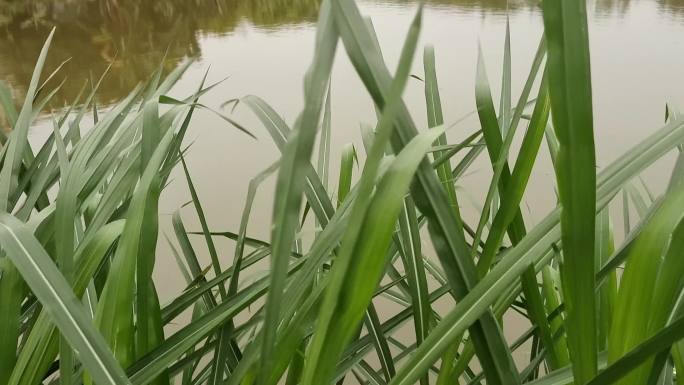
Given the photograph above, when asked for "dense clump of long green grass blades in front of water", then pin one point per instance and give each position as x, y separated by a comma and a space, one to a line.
79, 305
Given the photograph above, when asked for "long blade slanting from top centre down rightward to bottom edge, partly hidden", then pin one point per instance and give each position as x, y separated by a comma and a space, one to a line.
428, 193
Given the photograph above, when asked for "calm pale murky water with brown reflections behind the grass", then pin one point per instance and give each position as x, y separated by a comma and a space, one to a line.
264, 46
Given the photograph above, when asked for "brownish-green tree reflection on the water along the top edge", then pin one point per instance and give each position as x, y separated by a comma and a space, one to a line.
134, 36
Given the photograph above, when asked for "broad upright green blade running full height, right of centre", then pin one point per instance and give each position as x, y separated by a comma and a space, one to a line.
565, 25
